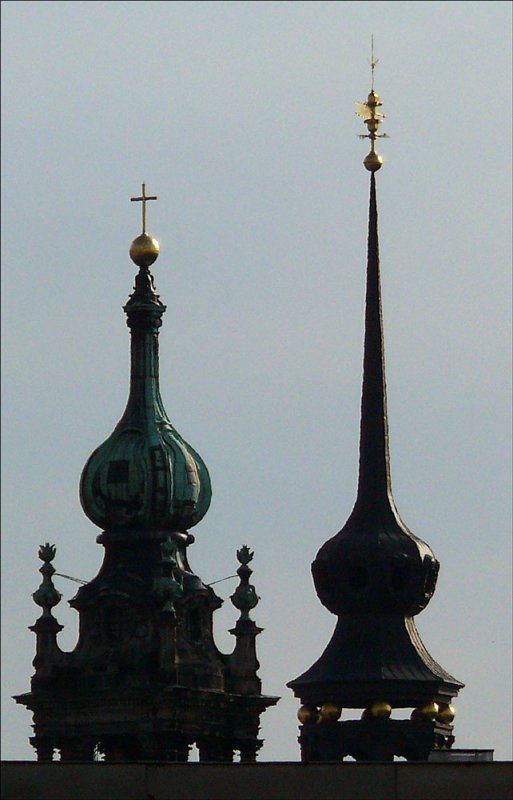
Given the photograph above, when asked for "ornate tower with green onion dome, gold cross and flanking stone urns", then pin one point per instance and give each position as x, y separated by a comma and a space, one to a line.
145, 680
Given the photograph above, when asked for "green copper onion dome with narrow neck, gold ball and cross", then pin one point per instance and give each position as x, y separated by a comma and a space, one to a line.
145, 480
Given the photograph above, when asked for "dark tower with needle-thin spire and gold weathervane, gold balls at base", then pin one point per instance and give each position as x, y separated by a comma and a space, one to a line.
375, 576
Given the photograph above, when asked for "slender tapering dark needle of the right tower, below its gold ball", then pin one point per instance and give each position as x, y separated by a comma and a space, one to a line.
374, 473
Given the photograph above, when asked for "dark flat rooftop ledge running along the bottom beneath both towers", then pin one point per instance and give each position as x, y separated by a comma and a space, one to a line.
480, 780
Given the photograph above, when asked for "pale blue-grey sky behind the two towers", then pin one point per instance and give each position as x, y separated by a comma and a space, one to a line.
240, 117
